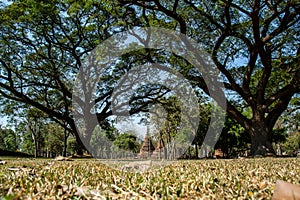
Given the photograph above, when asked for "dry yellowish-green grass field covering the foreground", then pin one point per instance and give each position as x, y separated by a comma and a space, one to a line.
91, 179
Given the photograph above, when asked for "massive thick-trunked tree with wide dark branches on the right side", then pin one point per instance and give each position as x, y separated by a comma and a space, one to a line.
255, 46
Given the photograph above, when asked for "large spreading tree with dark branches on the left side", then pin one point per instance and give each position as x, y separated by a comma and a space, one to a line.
43, 47
